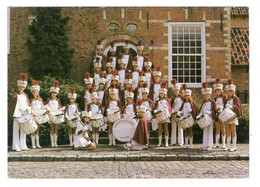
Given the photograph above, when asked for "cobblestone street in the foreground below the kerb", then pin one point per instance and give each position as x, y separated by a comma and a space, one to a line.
124, 169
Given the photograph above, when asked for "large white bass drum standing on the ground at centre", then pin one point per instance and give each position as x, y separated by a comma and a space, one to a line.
124, 129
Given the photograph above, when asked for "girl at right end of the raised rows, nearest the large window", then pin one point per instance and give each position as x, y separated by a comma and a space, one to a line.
154, 88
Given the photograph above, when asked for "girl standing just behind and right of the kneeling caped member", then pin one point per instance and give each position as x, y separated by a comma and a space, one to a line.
148, 103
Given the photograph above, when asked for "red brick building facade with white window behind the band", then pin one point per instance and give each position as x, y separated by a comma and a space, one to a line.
191, 44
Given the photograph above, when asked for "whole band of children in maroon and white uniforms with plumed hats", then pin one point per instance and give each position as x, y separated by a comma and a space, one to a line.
128, 86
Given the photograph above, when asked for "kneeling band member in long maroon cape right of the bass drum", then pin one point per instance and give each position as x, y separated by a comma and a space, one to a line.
140, 139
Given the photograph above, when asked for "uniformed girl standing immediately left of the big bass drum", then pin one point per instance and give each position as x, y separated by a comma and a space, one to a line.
112, 104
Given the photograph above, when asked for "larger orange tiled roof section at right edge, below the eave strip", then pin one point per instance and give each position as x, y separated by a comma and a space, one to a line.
240, 45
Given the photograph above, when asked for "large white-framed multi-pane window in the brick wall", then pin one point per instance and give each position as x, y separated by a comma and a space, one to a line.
187, 53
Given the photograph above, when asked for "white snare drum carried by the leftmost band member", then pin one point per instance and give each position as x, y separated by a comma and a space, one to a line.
27, 124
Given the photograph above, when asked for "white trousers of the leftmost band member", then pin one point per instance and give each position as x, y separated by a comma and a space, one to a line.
19, 142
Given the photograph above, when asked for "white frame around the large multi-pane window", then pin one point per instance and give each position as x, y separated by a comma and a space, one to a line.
203, 51
